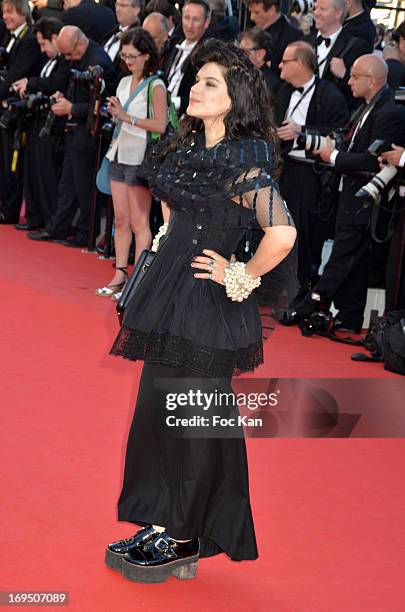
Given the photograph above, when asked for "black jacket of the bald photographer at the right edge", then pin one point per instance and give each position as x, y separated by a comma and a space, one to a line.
383, 122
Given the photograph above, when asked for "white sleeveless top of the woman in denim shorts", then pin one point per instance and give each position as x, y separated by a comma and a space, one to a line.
131, 141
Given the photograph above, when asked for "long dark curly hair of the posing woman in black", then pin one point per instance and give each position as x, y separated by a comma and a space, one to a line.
251, 113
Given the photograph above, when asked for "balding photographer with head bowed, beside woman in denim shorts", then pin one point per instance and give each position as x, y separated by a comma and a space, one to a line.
77, 180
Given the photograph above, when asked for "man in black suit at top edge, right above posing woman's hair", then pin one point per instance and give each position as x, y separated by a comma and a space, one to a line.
267, 16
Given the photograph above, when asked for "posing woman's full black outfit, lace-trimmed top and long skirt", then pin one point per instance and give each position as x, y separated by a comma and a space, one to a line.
185, 327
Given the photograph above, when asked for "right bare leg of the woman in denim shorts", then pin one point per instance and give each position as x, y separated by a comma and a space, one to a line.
140, 200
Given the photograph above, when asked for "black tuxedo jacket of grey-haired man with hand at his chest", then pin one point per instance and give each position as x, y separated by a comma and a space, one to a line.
348, 48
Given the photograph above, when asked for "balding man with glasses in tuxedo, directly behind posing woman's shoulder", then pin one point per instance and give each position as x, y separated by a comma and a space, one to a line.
305, 102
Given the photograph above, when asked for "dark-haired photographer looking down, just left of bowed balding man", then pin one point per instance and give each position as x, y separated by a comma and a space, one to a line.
44, 148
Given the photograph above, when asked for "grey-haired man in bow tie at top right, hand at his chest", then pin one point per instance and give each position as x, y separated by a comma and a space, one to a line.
336, 49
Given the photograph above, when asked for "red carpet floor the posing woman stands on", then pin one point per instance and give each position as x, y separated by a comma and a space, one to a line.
329, 514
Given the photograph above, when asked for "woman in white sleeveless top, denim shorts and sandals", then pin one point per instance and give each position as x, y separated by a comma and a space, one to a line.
130, 193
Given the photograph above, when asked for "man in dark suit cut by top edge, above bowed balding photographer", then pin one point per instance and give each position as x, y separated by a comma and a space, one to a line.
94, 20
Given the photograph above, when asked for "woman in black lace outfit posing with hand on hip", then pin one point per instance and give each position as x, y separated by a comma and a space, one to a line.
188, 488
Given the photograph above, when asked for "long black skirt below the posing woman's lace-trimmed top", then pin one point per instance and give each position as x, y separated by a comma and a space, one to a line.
193, 486
